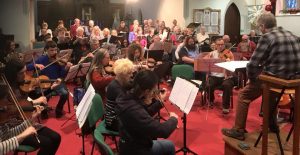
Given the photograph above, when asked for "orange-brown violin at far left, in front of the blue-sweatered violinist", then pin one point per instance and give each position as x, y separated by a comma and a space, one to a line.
31, 83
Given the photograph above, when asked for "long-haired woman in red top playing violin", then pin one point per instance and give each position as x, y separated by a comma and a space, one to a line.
98, 77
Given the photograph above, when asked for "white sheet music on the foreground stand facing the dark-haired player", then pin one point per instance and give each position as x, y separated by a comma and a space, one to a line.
183, 94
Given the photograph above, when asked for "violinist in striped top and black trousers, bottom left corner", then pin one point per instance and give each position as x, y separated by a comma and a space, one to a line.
11, 138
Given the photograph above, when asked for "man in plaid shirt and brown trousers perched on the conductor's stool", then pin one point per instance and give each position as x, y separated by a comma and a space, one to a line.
277, 54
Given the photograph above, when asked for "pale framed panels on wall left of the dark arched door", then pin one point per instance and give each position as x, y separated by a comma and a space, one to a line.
209, 18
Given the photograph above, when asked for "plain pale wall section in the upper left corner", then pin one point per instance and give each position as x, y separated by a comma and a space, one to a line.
17, 18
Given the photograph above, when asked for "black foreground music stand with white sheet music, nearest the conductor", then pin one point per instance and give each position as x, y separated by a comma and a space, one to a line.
183, 95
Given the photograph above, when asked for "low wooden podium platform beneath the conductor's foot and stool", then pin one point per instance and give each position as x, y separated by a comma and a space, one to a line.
232, 148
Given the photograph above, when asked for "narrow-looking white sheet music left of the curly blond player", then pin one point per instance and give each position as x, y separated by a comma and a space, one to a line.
84, 106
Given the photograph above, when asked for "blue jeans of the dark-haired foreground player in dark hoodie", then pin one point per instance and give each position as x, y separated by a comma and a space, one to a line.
163, 147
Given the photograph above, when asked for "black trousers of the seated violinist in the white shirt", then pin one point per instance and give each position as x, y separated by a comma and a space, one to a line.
226, 85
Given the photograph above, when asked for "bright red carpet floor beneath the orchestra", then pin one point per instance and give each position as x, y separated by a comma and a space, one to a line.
203, 127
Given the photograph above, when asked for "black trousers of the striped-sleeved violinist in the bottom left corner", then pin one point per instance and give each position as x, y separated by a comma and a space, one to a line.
49, 141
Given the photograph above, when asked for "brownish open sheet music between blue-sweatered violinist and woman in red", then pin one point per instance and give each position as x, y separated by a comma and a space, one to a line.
74, 71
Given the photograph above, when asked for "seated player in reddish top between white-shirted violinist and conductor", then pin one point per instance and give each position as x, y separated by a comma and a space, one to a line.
246, 47
